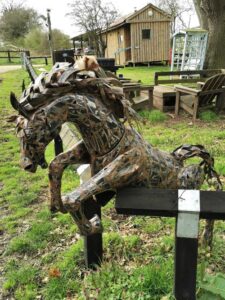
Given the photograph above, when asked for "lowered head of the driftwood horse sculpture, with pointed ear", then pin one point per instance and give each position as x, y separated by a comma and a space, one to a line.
35, 133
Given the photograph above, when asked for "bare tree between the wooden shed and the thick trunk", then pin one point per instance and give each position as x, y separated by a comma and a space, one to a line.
177, 9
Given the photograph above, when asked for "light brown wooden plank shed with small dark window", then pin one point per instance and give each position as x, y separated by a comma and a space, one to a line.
140, 37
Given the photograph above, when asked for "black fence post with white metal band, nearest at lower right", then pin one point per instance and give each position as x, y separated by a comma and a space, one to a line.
186, 244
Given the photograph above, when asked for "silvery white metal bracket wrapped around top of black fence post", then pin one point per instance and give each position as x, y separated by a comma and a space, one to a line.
188, 215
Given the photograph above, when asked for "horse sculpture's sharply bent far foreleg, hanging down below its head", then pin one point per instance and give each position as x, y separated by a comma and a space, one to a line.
77, 155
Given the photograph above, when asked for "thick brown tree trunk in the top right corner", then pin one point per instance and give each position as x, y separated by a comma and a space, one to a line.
212, 18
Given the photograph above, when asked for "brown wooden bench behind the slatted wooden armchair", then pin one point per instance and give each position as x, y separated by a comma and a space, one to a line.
164, 96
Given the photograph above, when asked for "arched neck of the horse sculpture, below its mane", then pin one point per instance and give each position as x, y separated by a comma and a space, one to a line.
98, 125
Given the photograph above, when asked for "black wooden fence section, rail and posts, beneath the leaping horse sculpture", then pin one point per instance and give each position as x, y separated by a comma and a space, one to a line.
187, 206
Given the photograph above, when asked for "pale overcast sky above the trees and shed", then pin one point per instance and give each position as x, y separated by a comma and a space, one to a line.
60, 8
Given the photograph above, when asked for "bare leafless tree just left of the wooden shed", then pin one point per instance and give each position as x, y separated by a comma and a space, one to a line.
92, 17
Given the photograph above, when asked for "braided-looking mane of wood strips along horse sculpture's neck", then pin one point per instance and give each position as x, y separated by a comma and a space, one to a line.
66, 79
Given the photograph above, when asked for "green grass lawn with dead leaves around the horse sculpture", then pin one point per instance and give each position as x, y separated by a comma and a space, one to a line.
41, 256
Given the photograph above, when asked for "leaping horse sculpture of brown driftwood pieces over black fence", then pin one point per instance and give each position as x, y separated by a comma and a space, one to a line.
117, 153
